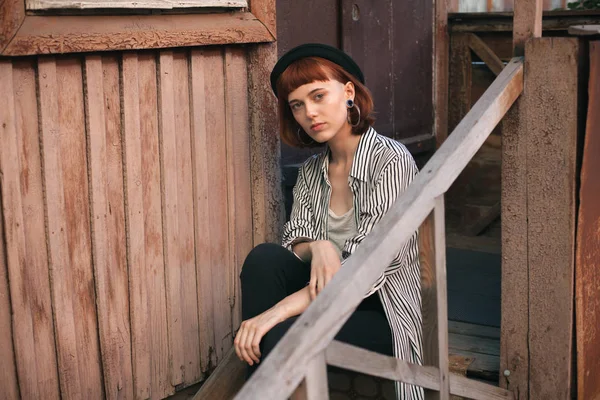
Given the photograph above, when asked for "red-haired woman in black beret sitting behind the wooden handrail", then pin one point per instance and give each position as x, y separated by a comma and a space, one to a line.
340, 195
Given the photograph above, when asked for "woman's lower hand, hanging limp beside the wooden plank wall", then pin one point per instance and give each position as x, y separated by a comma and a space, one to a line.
251, 332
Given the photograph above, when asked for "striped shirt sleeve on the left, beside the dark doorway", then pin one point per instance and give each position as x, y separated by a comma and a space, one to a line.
301, 226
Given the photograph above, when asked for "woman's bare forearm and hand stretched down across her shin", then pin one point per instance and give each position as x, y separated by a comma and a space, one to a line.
251, 331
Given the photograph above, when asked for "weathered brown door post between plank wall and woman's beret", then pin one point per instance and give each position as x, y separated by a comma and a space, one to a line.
267, 197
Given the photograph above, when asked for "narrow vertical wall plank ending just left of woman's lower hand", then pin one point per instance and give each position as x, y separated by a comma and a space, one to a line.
220, 261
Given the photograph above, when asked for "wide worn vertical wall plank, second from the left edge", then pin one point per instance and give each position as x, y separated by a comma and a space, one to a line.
65, 177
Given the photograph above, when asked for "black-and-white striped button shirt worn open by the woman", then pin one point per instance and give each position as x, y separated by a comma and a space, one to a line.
381, 170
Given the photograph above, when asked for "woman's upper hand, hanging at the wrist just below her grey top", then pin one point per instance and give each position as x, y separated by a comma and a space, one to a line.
324, 264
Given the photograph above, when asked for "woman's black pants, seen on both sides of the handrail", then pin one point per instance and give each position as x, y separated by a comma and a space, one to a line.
271, 273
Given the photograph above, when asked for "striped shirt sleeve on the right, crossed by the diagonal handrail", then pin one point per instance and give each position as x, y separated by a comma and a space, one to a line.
393, 181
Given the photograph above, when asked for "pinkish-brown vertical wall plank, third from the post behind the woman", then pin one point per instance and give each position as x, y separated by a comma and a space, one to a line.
177, 212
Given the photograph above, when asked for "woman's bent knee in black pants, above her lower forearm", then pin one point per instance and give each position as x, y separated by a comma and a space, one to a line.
270, 273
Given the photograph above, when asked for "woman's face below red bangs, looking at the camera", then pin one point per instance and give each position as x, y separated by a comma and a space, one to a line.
320, 108
